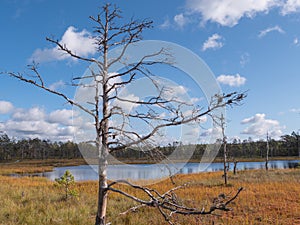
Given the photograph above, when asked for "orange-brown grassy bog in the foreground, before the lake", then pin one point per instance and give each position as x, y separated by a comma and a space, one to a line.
269, 198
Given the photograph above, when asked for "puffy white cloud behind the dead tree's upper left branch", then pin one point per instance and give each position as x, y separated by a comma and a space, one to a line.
79, 43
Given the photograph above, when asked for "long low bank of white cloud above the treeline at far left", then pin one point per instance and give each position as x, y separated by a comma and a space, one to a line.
36, 123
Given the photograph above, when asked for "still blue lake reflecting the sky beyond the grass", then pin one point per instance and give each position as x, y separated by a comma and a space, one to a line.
157, 171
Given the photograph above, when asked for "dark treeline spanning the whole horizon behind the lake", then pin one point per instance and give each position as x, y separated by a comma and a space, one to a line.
288, 145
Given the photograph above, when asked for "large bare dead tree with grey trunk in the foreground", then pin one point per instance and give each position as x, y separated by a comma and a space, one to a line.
106, 87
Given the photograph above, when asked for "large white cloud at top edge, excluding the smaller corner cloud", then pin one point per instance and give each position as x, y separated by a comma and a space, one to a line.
228, 12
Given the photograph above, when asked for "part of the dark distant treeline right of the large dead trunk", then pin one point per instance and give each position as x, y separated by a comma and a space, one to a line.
288, 145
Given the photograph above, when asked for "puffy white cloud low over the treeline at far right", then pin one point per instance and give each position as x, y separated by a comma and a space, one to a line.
259, 126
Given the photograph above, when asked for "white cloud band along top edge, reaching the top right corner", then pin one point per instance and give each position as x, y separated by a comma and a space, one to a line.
230, 12
